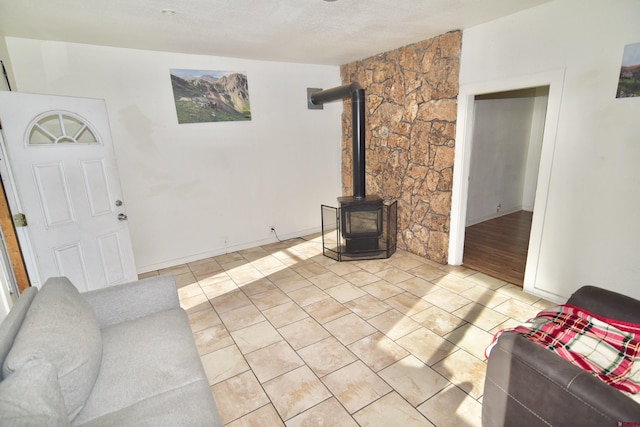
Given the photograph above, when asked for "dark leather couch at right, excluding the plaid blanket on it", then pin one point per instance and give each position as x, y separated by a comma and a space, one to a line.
528, 385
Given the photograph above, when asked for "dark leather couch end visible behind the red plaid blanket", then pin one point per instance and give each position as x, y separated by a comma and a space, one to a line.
607, 303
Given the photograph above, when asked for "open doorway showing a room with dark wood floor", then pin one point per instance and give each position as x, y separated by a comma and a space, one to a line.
505, 157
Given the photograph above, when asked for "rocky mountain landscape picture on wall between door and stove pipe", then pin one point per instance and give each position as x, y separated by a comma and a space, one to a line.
210, 96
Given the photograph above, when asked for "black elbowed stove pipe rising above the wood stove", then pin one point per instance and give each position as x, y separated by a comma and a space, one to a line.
357, 122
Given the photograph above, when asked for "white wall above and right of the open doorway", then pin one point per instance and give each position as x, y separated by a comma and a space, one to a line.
590, 229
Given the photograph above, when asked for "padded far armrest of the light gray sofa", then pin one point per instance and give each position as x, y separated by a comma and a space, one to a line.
128, 301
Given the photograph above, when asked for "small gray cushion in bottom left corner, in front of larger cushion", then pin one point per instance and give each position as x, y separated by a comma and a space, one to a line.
31, 396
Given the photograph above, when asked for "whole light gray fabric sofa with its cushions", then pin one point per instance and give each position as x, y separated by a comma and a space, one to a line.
118, 356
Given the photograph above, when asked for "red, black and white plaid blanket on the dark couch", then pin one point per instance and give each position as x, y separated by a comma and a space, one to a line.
607, 348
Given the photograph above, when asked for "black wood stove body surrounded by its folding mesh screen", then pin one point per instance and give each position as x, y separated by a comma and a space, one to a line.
359, 232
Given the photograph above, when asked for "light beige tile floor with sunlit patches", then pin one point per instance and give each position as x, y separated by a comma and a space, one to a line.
289, 337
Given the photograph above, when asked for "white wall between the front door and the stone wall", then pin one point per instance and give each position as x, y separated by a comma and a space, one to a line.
197, 190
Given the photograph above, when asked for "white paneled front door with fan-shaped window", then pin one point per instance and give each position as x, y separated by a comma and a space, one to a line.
62, 174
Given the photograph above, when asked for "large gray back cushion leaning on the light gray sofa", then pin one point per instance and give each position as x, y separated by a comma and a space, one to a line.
61, 327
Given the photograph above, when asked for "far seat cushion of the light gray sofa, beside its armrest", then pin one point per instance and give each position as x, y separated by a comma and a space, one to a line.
143, 359
